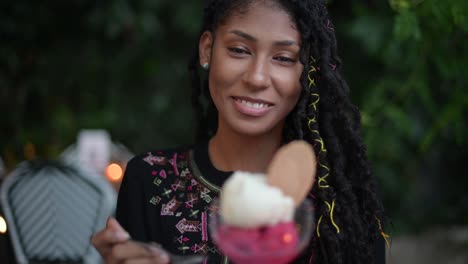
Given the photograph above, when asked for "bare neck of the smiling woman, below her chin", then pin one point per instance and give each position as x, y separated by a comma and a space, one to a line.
232, 151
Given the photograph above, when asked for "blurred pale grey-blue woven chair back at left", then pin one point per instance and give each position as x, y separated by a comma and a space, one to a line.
52, 209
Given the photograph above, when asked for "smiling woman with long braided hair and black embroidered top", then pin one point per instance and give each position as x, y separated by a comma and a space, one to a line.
273, 75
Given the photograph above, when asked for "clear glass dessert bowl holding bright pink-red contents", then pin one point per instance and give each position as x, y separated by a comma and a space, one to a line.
273, 244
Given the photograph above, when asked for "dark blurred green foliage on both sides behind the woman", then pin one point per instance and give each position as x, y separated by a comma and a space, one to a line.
121, 65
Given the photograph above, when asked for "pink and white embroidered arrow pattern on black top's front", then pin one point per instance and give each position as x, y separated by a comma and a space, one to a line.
183, 203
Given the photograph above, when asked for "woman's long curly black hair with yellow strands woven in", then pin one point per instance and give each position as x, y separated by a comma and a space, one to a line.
348, 209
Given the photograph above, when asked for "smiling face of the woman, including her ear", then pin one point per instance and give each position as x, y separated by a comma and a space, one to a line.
254, 70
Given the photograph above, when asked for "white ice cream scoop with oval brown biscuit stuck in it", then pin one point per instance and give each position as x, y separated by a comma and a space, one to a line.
253, 200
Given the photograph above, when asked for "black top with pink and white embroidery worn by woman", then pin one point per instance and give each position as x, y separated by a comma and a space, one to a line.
165, 197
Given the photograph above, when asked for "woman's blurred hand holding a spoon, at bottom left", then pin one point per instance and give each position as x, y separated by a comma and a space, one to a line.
115, 246
